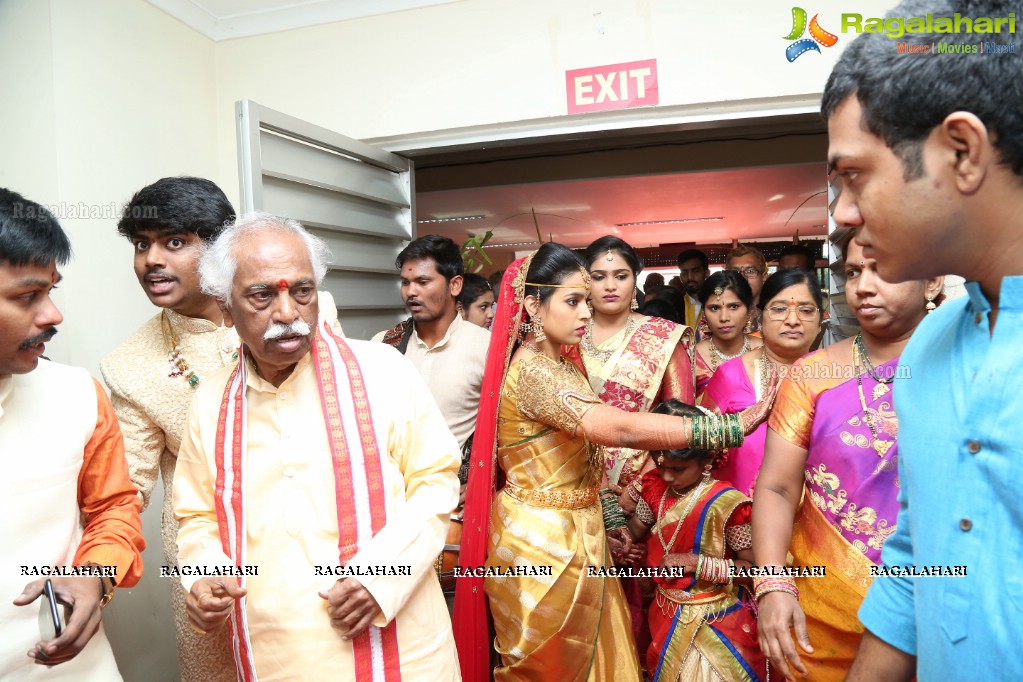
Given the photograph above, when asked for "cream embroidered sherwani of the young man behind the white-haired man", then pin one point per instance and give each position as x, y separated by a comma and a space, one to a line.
152, 408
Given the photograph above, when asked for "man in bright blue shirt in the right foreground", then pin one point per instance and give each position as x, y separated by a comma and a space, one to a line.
927, 151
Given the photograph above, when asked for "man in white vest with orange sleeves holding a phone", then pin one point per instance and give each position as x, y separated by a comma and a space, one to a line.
66, 497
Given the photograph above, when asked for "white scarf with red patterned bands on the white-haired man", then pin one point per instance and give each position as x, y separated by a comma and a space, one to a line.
359, 484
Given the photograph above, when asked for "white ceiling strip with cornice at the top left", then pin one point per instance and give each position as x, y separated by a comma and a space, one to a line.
223, 20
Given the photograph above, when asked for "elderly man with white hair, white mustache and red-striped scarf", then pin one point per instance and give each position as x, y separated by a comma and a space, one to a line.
315, 482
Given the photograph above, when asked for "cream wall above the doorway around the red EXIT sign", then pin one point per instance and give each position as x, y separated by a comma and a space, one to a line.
492, 62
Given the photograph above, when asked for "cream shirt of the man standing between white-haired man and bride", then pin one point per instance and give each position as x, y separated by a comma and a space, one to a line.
454, 371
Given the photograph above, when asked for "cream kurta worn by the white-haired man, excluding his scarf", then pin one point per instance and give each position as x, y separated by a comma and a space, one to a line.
292, 526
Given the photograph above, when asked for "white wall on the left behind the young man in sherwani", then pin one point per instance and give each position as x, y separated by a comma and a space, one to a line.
104, 98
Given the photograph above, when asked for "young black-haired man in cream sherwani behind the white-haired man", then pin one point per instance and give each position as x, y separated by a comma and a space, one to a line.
154, 374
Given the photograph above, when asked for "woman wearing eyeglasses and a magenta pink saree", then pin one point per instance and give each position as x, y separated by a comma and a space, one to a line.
791, 323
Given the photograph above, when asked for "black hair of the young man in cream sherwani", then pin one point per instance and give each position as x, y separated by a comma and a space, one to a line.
173, 206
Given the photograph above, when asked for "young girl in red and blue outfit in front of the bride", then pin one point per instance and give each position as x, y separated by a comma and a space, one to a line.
702, 630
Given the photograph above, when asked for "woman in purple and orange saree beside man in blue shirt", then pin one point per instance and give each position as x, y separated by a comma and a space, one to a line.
833, 434
